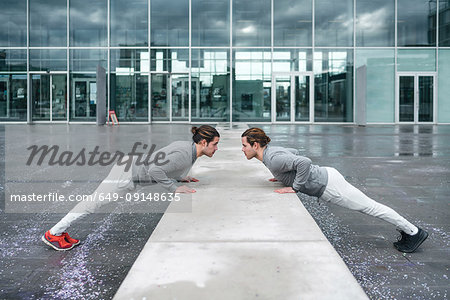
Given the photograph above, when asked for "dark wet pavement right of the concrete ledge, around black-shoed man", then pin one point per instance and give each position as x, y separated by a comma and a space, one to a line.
404, 167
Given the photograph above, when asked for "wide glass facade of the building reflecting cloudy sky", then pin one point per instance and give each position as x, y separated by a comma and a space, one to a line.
225, 60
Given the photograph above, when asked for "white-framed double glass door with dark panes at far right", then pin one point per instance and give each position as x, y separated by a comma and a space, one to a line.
416, 98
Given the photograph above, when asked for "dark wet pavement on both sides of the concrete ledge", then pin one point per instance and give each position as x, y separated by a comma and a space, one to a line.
405, 167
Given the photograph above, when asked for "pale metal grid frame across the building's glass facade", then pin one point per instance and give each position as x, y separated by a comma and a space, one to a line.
231, 48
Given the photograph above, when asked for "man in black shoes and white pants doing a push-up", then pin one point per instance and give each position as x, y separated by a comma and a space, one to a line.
299, 175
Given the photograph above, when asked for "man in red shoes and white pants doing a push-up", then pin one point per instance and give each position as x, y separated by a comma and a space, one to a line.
179, 158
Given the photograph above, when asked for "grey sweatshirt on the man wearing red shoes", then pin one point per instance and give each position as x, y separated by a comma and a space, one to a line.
180, 157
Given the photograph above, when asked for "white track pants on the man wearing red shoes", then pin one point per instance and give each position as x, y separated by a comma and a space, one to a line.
118, 181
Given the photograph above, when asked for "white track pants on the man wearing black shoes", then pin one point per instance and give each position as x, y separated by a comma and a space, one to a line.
342, 193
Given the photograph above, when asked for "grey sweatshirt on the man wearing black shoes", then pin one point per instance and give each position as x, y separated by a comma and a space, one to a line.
287, 166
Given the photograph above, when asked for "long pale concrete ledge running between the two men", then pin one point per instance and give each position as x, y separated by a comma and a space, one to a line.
241, 241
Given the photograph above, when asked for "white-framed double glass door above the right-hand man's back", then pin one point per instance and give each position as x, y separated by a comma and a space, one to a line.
292, 97
